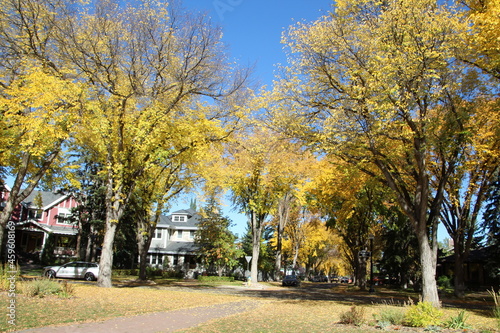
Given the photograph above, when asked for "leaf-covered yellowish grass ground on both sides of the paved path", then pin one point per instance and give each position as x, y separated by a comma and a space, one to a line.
313, 307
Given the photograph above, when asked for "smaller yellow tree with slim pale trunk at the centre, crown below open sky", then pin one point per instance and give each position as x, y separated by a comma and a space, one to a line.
258, 168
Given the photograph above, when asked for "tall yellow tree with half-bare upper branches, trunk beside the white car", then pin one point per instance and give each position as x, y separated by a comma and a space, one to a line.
160, 87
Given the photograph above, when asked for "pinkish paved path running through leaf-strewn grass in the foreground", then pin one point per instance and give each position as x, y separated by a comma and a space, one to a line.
170, 321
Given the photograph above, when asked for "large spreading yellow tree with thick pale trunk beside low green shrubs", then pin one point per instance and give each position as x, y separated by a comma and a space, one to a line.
361, 84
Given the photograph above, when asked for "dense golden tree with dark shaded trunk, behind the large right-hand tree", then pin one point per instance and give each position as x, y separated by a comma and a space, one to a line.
354, 205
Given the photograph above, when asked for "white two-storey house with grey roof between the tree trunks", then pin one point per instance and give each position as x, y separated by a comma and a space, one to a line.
173, 245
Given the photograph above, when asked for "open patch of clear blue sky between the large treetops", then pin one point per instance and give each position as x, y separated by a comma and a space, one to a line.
253, 28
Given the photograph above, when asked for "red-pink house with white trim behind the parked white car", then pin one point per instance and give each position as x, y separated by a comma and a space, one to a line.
43, 214
